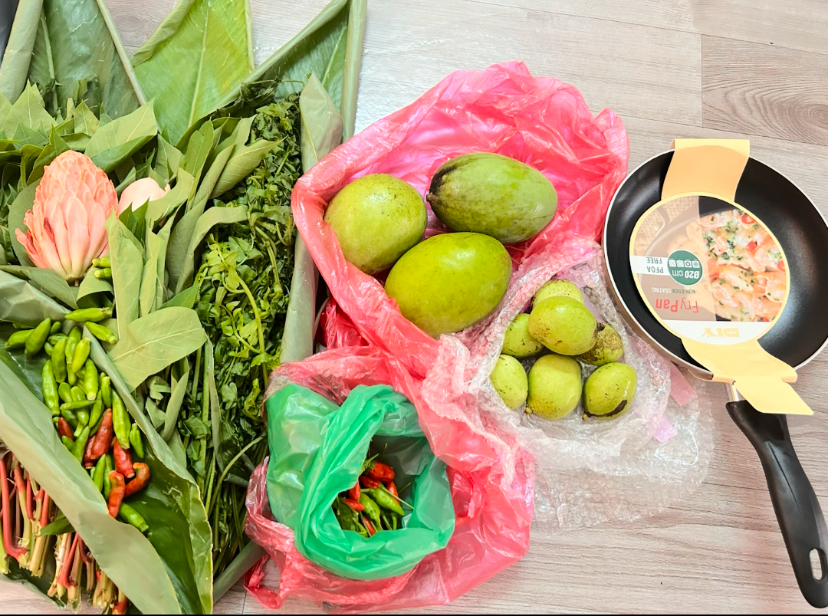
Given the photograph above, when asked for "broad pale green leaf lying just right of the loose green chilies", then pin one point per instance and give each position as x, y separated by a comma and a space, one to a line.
152, 343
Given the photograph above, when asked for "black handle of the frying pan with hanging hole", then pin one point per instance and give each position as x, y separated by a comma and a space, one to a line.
794, 501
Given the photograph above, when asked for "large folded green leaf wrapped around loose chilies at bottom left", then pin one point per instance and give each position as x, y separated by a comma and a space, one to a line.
169, 570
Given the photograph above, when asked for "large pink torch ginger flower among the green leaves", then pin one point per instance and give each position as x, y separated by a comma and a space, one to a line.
66, 223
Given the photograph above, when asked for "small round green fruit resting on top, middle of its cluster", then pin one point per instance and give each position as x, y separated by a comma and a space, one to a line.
563, 325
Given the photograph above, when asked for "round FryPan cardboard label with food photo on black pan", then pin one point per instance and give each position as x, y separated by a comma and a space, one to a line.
708, 269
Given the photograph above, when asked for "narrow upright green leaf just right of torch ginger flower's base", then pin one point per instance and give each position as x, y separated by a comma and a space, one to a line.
127, 269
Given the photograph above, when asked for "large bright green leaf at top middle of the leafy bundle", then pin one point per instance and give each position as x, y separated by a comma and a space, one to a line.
201, 51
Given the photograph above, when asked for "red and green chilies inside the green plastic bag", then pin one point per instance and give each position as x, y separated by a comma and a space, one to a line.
373, 504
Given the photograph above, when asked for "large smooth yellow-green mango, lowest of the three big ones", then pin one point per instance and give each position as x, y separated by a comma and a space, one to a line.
450, 281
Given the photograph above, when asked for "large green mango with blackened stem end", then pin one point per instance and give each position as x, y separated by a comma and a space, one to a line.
494, 195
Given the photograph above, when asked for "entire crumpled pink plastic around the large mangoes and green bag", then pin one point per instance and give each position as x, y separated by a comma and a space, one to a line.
540, 121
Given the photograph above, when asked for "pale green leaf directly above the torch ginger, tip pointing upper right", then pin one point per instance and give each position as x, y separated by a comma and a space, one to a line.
122, 137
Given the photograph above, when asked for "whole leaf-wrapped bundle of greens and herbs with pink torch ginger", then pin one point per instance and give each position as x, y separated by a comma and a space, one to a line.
196, 269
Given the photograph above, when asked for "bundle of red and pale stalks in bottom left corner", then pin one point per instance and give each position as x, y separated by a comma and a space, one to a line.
30, 521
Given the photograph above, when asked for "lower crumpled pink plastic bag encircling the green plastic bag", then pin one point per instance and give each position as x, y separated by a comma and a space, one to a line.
493, 507
